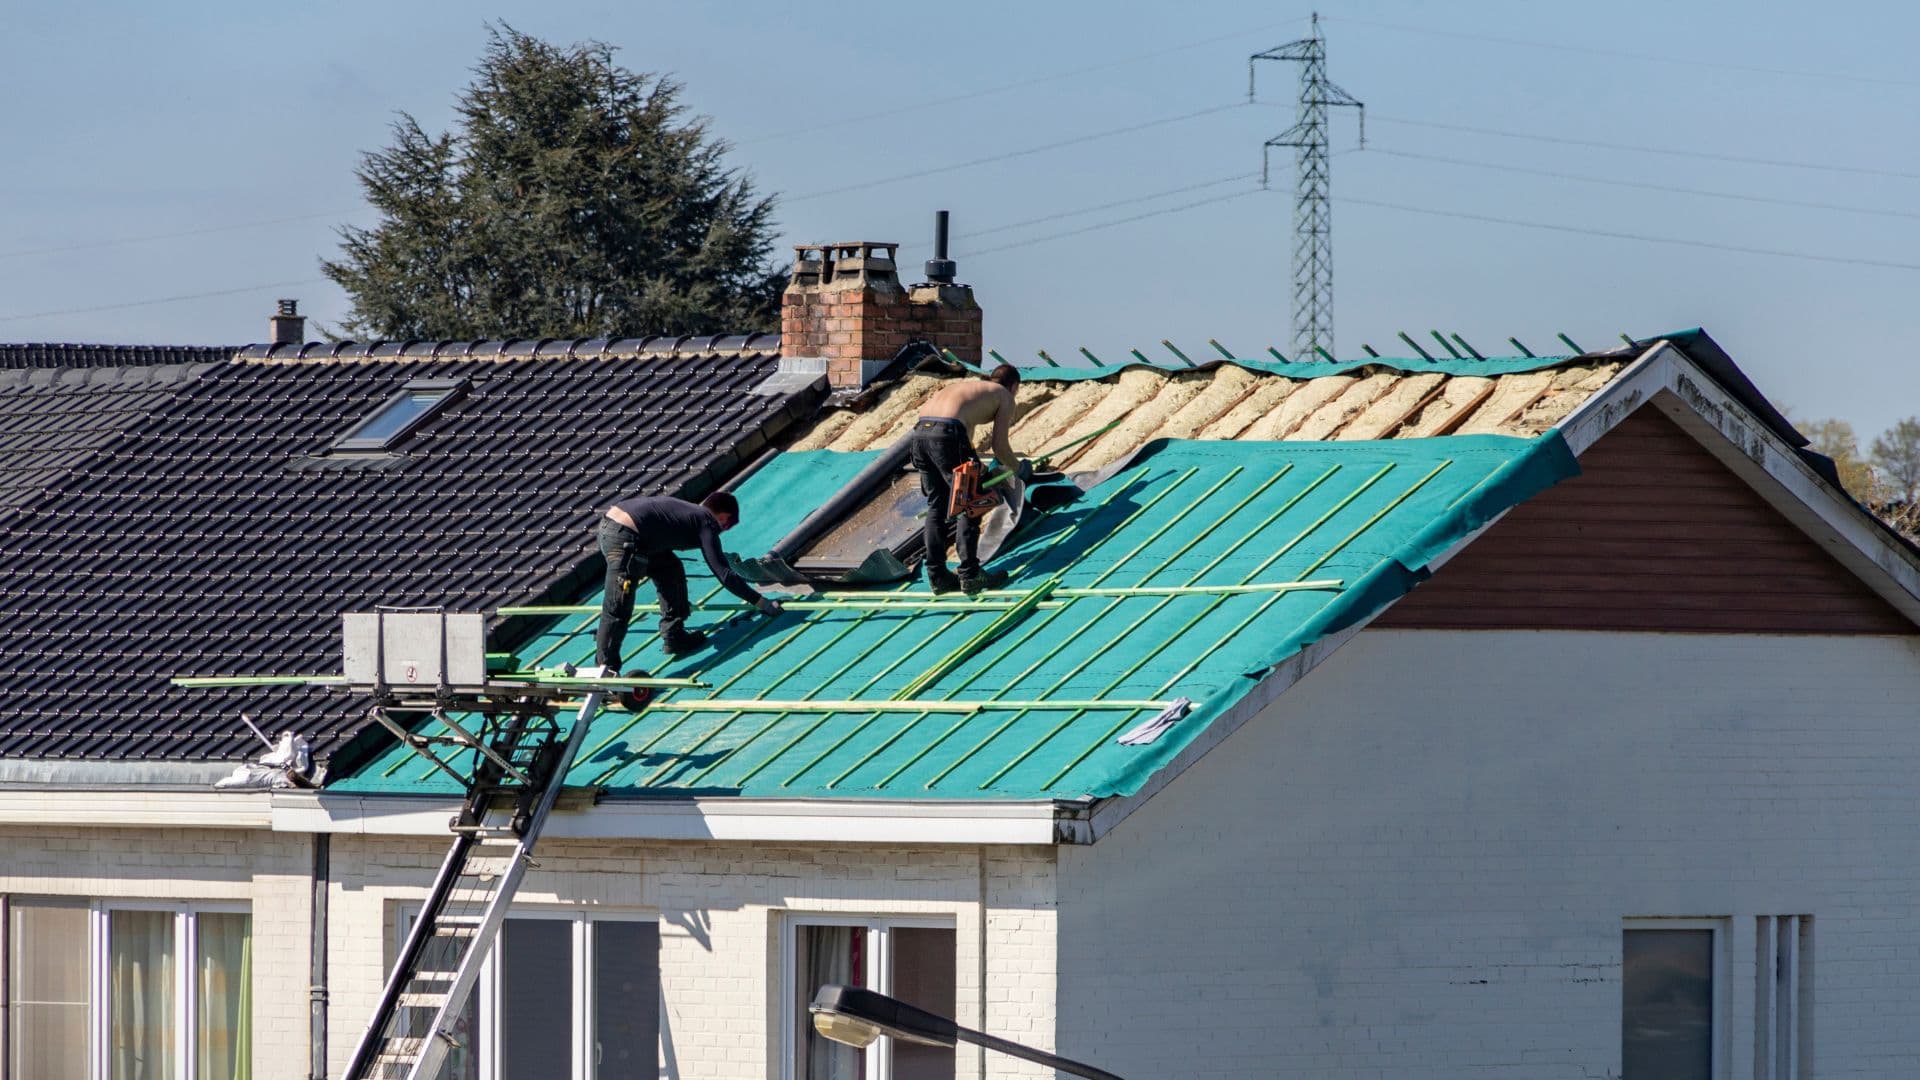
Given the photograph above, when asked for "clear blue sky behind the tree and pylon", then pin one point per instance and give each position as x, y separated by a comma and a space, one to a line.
160, 153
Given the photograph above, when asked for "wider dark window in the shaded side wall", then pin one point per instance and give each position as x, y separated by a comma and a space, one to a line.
1671, 975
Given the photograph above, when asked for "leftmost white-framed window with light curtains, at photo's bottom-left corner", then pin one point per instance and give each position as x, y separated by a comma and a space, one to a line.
130, 991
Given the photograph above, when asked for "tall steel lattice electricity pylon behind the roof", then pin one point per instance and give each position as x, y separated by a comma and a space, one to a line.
1312, 214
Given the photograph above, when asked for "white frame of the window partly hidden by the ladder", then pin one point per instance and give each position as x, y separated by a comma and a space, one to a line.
489, 989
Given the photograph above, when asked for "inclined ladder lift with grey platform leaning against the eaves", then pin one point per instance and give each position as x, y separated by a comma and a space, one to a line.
521, 764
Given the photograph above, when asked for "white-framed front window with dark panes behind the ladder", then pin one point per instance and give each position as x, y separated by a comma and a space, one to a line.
564, 996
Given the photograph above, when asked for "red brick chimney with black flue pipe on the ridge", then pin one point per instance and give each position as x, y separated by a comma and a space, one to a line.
848, 307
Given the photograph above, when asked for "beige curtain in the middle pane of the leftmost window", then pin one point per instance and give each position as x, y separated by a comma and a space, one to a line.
141, 996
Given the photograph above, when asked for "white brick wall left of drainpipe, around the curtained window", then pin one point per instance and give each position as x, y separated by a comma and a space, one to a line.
262, 870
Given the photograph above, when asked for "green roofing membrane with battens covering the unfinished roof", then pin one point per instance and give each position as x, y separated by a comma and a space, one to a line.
1019, 700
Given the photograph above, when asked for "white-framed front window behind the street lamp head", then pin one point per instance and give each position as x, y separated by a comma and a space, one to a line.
911, 960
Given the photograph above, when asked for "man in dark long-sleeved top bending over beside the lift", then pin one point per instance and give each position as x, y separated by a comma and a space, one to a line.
638, 537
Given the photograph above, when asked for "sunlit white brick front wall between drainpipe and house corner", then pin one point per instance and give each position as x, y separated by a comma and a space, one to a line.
721, 910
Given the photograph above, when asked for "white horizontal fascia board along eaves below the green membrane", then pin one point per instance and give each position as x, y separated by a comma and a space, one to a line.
790, 822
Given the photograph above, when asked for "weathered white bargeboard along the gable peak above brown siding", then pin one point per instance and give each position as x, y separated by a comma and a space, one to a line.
1687, 395
